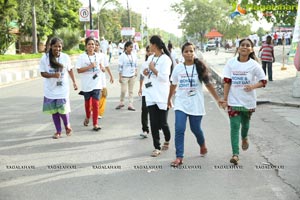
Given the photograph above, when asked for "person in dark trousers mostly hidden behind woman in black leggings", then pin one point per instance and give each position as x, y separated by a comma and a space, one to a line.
142, 92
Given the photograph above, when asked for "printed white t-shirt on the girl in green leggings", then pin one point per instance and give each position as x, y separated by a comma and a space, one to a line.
241, 74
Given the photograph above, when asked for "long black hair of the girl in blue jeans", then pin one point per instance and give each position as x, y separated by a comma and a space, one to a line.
201, 68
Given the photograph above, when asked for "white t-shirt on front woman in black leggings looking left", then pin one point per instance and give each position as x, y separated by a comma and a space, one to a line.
159, 92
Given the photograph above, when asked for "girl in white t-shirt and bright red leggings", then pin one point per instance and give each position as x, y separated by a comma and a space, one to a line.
90, 67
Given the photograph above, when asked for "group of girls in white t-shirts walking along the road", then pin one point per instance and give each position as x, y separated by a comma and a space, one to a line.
163, 79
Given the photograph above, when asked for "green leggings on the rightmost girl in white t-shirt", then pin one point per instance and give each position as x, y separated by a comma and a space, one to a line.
242, 118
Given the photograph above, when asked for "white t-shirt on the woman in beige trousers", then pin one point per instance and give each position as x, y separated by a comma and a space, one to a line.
127, 64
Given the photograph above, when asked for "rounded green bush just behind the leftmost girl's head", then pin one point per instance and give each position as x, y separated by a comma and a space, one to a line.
71, 38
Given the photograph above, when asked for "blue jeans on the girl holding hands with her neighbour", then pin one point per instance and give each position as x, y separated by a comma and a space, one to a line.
180, 126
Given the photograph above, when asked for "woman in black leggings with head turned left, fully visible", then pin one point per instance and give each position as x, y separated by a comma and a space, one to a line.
158, 70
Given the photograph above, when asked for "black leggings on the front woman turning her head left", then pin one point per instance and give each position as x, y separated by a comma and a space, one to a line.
158, 120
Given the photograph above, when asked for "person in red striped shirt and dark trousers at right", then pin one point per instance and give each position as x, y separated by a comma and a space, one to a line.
267, 57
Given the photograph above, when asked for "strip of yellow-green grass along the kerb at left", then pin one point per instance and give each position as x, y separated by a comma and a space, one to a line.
32, 56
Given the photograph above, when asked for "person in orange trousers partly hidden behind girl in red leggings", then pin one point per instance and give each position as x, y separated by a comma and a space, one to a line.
103, 94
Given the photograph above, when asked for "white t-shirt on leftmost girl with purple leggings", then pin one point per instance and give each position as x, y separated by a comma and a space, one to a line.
56, 88
